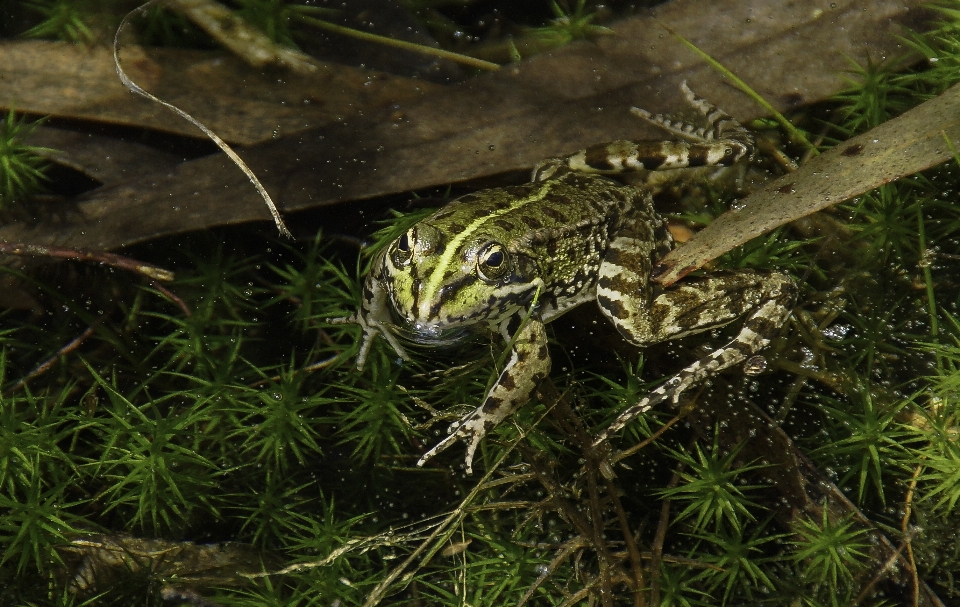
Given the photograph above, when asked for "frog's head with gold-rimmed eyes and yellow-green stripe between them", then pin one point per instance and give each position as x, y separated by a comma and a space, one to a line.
442, 281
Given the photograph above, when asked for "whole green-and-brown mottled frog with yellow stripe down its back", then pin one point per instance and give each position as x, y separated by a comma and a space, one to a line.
507, 261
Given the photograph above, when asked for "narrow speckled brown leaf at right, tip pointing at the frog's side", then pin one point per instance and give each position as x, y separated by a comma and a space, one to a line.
915, 141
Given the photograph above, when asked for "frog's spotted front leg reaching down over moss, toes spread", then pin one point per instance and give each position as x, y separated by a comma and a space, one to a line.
529, 364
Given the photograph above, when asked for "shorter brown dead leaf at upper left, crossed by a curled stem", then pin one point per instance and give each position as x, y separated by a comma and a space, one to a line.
242, 105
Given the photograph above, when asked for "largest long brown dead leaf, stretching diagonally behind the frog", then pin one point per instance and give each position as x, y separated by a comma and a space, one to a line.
791, 52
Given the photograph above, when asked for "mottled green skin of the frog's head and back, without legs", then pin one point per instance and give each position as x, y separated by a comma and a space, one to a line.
554, 234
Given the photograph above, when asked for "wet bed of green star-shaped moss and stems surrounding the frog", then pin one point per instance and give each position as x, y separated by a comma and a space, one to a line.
210, 441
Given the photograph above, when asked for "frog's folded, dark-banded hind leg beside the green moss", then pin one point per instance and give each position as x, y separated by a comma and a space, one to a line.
693, 306
